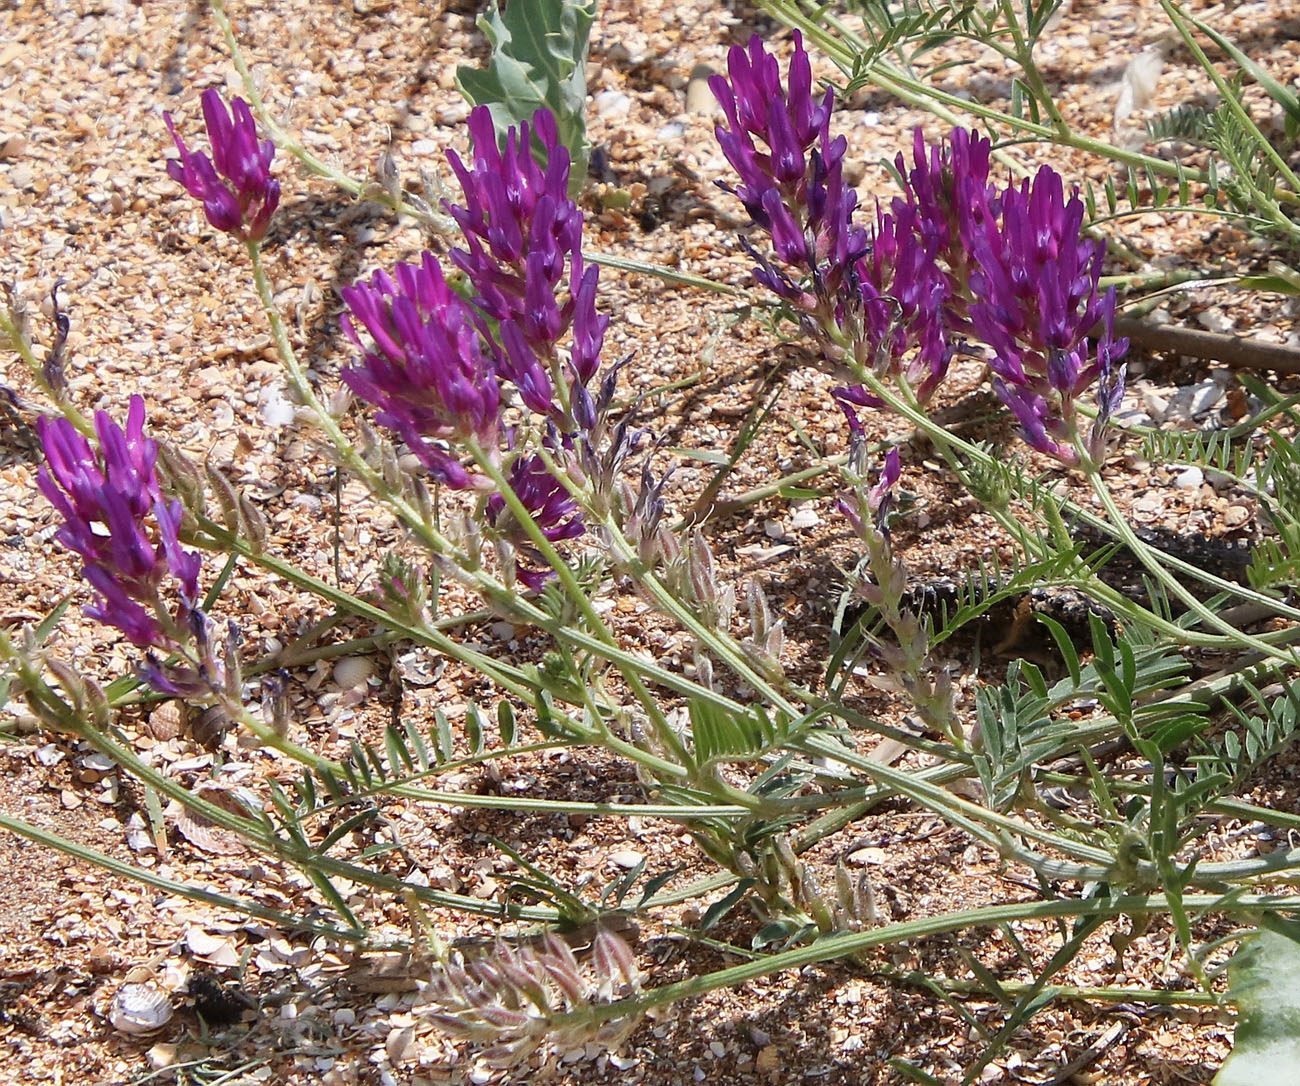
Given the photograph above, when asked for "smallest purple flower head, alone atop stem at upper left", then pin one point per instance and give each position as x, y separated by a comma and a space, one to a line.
236, 187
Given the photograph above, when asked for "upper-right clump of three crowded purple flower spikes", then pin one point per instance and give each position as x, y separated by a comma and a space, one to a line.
952, 262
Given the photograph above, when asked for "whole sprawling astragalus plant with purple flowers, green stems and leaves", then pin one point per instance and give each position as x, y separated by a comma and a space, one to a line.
480, 409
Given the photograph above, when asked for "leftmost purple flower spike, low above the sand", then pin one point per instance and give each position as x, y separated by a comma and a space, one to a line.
116, 520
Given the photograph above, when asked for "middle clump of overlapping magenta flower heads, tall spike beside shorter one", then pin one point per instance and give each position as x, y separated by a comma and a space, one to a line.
437, 366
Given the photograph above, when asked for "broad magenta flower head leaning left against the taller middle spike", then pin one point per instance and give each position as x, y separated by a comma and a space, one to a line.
427, 371
